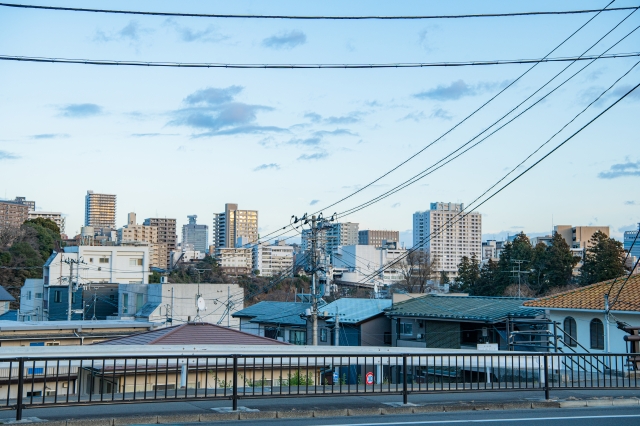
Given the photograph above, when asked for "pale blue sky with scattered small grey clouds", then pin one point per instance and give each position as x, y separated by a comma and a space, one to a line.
171, 142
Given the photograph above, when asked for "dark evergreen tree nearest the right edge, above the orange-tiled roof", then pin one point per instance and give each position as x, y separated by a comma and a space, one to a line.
603, 260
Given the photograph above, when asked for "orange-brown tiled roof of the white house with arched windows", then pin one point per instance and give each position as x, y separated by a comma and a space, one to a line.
592, 297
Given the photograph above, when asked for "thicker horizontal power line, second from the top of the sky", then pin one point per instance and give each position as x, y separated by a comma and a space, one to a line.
308, 66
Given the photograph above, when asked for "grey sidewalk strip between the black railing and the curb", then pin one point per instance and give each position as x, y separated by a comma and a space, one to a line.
197, 411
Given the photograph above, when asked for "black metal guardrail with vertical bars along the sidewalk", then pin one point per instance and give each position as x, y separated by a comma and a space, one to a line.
64, 381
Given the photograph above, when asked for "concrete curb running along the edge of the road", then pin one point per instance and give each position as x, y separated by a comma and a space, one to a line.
364, 411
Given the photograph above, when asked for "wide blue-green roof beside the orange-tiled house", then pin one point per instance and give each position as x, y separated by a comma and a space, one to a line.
470, 308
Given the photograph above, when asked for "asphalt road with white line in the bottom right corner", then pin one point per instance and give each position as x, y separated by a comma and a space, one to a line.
614, 416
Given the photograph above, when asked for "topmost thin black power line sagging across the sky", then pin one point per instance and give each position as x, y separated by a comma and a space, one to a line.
311, 17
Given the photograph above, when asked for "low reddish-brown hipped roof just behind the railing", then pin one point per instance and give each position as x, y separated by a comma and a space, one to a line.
193, 334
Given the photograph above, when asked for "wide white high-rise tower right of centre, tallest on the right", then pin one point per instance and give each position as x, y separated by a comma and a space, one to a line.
448, 234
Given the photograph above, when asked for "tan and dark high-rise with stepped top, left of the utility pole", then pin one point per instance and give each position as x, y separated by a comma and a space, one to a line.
233, 225
